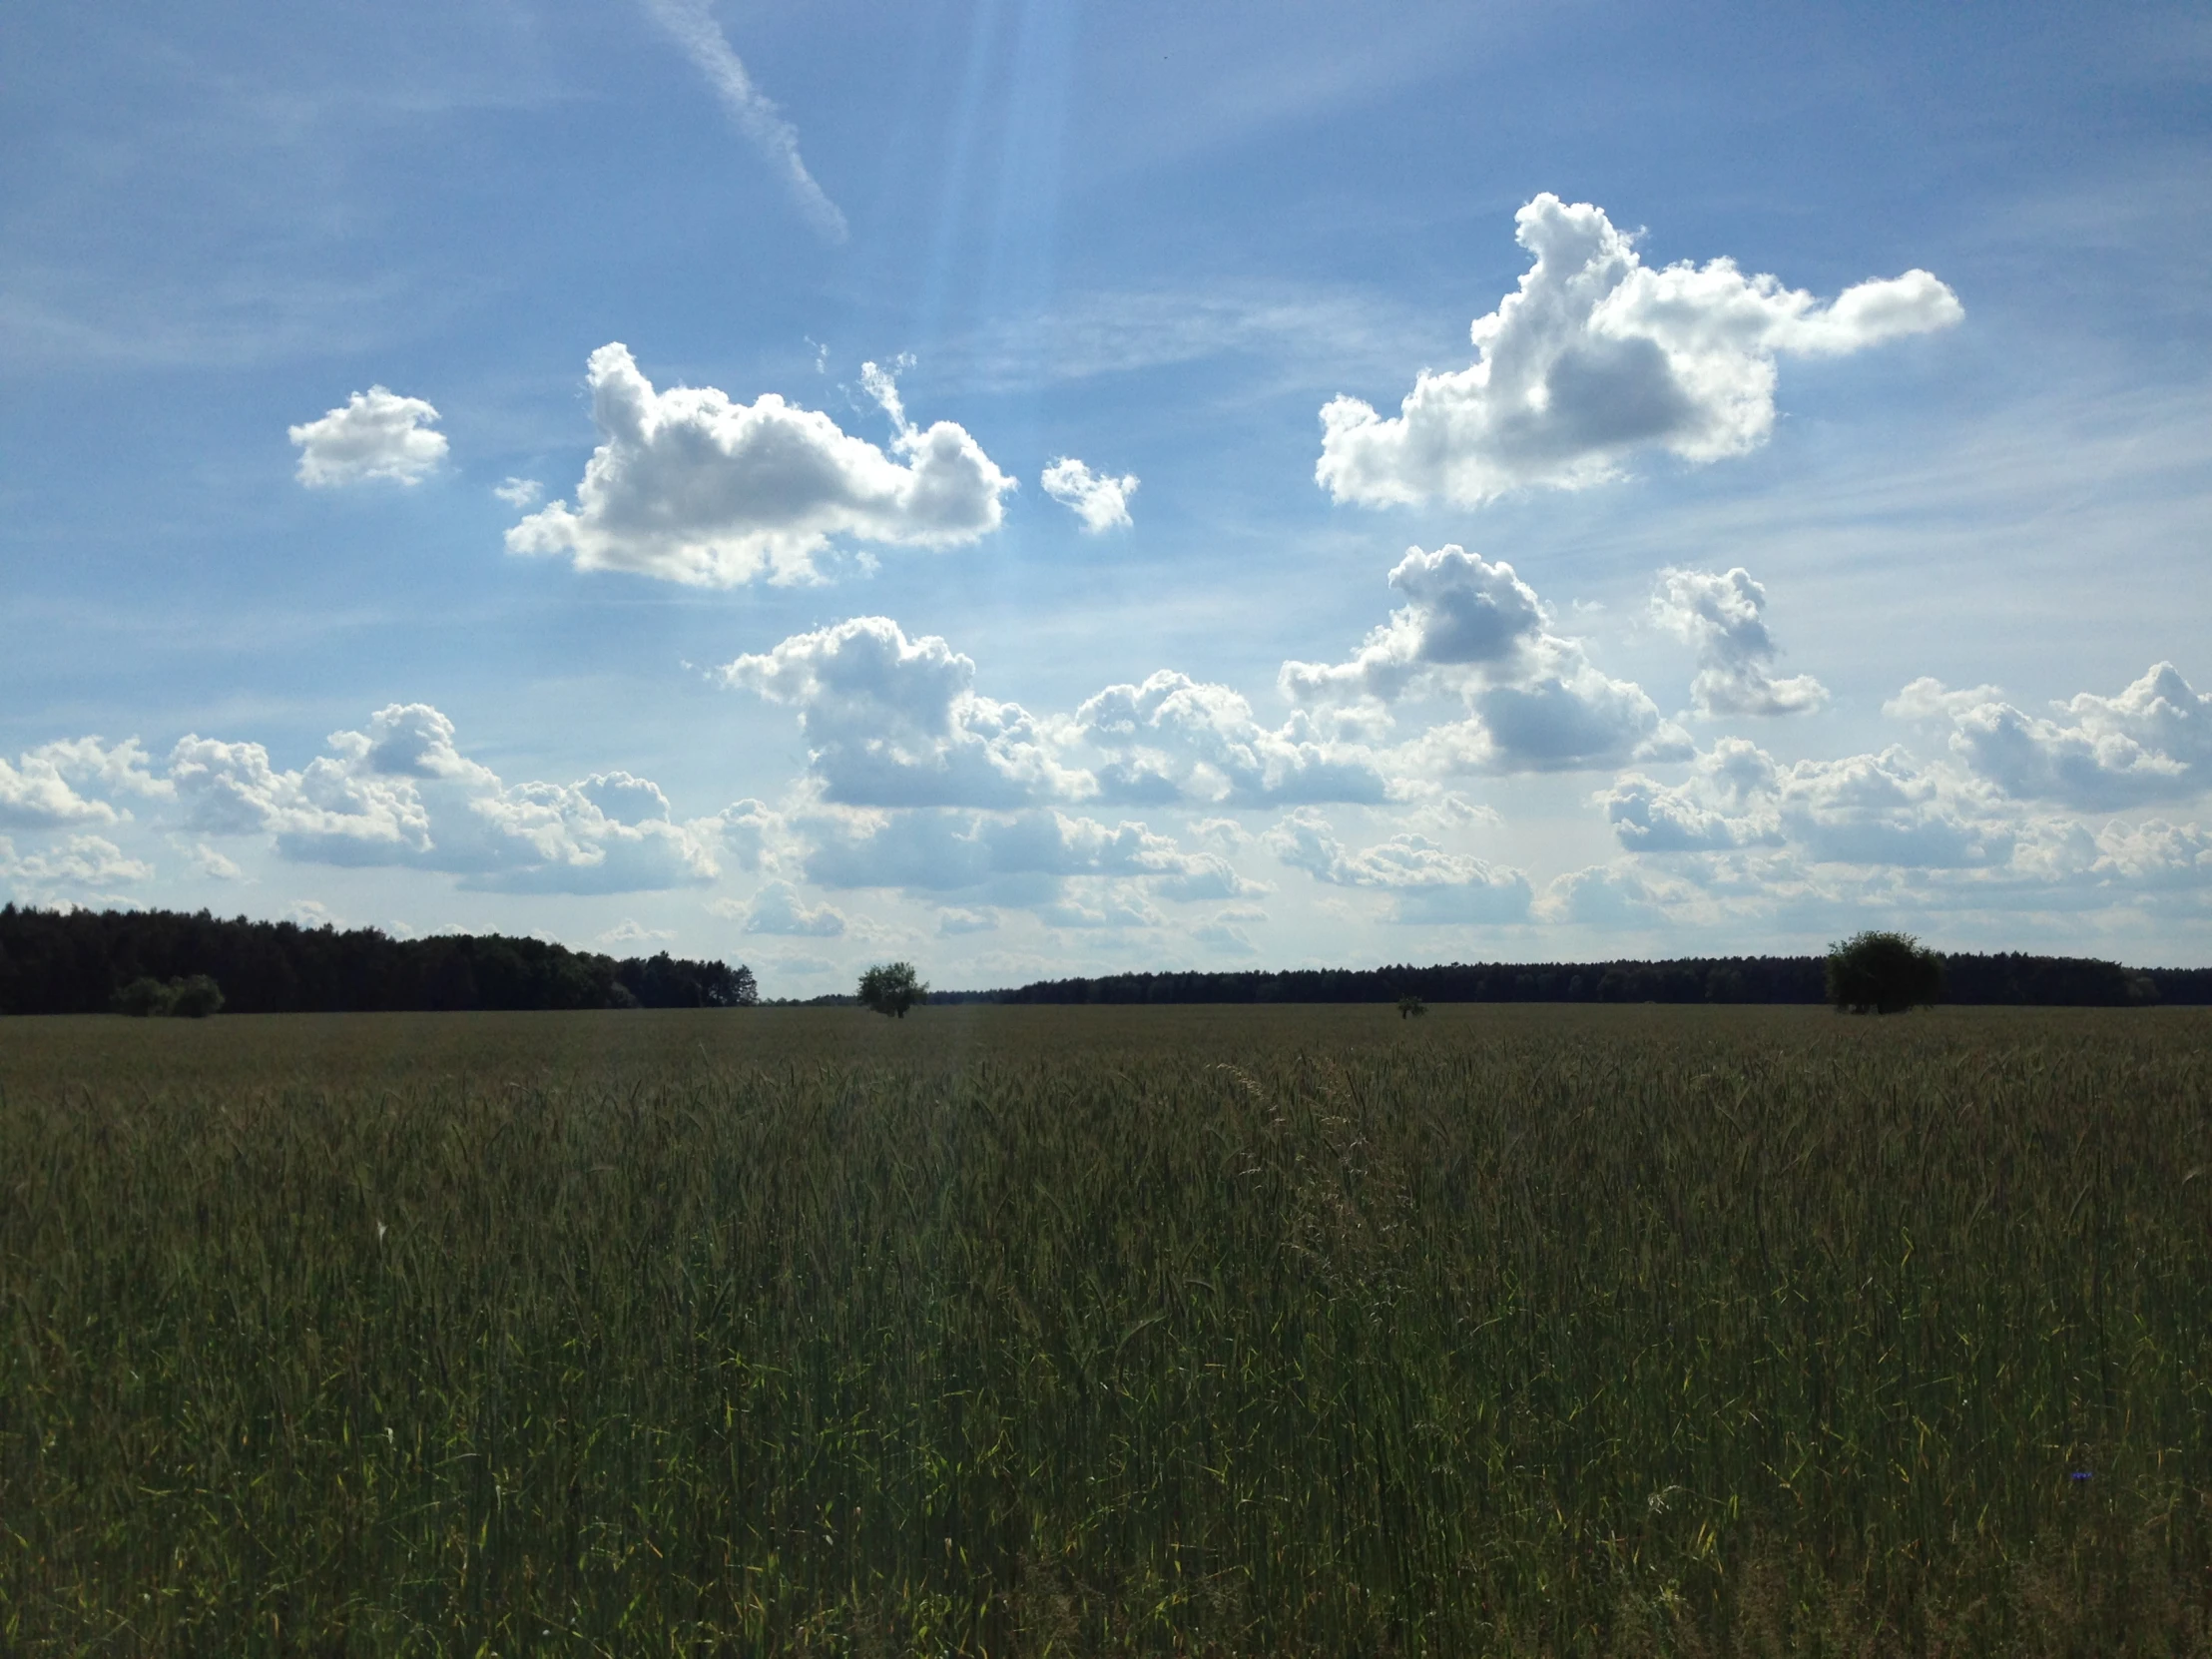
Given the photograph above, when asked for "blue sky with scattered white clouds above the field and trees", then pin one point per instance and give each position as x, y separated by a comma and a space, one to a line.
1039, 488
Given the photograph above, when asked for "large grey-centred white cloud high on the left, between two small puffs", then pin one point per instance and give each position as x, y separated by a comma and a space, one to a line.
693, 488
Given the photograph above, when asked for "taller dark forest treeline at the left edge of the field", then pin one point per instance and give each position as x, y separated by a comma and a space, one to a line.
79, 961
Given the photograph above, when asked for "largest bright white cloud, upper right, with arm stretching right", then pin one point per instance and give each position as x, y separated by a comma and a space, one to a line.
1600, 357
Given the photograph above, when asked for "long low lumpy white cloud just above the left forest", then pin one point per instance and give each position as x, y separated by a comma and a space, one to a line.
401, 793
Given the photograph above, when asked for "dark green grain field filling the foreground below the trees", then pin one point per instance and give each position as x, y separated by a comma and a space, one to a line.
1519, 1331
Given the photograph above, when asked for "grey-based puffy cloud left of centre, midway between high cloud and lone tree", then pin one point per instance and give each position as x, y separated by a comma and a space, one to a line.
897, 722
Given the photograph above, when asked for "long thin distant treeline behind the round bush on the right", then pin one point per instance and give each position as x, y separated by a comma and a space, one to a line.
2041, 981
